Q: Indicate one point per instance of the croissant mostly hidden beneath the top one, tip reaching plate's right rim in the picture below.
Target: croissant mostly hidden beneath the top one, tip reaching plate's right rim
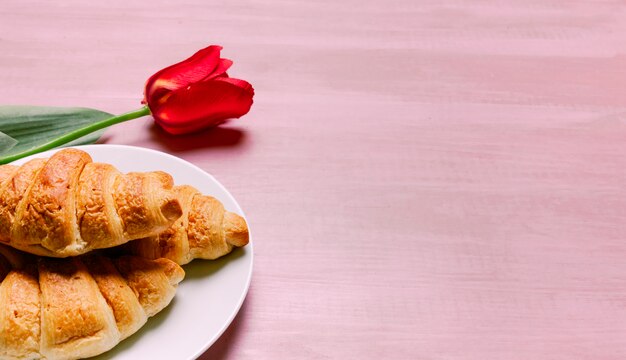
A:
(205, 231)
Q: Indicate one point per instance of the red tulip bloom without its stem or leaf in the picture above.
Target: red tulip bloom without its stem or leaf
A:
(197, 93)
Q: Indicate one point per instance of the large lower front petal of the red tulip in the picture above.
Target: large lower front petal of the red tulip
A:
(203, 105)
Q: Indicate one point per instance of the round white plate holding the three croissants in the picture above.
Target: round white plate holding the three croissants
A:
(212, 292)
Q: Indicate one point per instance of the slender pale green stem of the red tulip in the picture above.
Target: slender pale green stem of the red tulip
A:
(78, 133)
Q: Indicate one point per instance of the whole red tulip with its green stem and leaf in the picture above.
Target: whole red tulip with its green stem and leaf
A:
(186, 97)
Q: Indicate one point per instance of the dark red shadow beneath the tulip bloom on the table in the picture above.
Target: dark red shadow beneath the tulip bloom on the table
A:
(210, 138)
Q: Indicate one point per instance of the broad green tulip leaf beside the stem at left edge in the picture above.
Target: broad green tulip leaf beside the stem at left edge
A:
(25, 128)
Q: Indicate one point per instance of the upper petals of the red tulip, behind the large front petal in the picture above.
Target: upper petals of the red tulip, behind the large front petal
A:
(204, 64)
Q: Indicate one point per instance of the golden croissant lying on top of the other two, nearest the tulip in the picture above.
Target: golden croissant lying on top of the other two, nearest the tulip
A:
(68, 205)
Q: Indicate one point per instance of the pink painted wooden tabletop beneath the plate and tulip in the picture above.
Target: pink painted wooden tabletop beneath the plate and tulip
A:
(424, 179)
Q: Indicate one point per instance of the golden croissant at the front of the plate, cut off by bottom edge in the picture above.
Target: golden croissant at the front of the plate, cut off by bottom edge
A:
(77, 307)
